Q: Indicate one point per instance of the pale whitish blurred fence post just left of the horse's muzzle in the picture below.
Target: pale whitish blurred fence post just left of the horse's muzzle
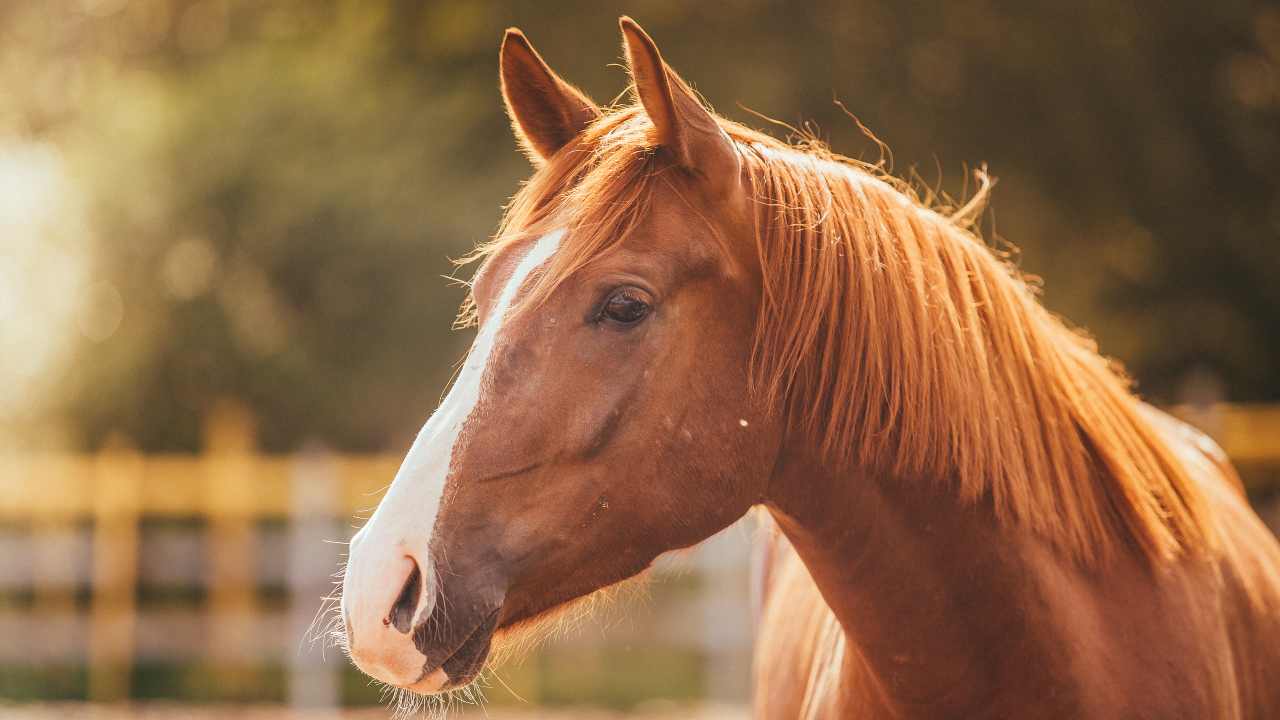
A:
(314, 554)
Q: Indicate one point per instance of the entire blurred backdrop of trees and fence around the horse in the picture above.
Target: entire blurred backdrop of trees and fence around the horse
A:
(226, 230)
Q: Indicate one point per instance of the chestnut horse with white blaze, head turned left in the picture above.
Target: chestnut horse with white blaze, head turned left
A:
(683, 321)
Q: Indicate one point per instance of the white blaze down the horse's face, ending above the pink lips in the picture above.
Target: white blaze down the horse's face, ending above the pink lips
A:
(405, 520)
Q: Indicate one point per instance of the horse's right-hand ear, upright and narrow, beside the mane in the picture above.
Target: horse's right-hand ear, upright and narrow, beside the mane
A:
(683, 124)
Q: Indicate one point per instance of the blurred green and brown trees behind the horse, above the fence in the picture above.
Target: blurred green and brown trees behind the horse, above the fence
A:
(273, 190)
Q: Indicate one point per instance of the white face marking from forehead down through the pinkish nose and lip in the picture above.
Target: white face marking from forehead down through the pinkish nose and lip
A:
(397, 536)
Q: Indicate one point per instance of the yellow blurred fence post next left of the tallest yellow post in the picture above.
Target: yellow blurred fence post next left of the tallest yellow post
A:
(113, 612)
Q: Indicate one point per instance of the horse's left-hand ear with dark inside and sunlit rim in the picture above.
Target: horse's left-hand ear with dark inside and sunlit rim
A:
(546, 112)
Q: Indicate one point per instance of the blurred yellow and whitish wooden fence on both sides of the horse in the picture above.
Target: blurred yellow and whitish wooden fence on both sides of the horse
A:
(232, 489)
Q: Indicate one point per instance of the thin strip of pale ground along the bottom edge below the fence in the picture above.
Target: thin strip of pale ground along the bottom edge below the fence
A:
(166, 712)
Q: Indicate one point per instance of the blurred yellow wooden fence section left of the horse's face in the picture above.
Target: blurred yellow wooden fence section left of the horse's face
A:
(230, 487)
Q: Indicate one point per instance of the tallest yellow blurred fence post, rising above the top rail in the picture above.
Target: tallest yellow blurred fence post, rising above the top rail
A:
(230, 475)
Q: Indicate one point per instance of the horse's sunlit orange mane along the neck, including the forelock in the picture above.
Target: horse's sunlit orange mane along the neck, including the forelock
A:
(894, 339)
